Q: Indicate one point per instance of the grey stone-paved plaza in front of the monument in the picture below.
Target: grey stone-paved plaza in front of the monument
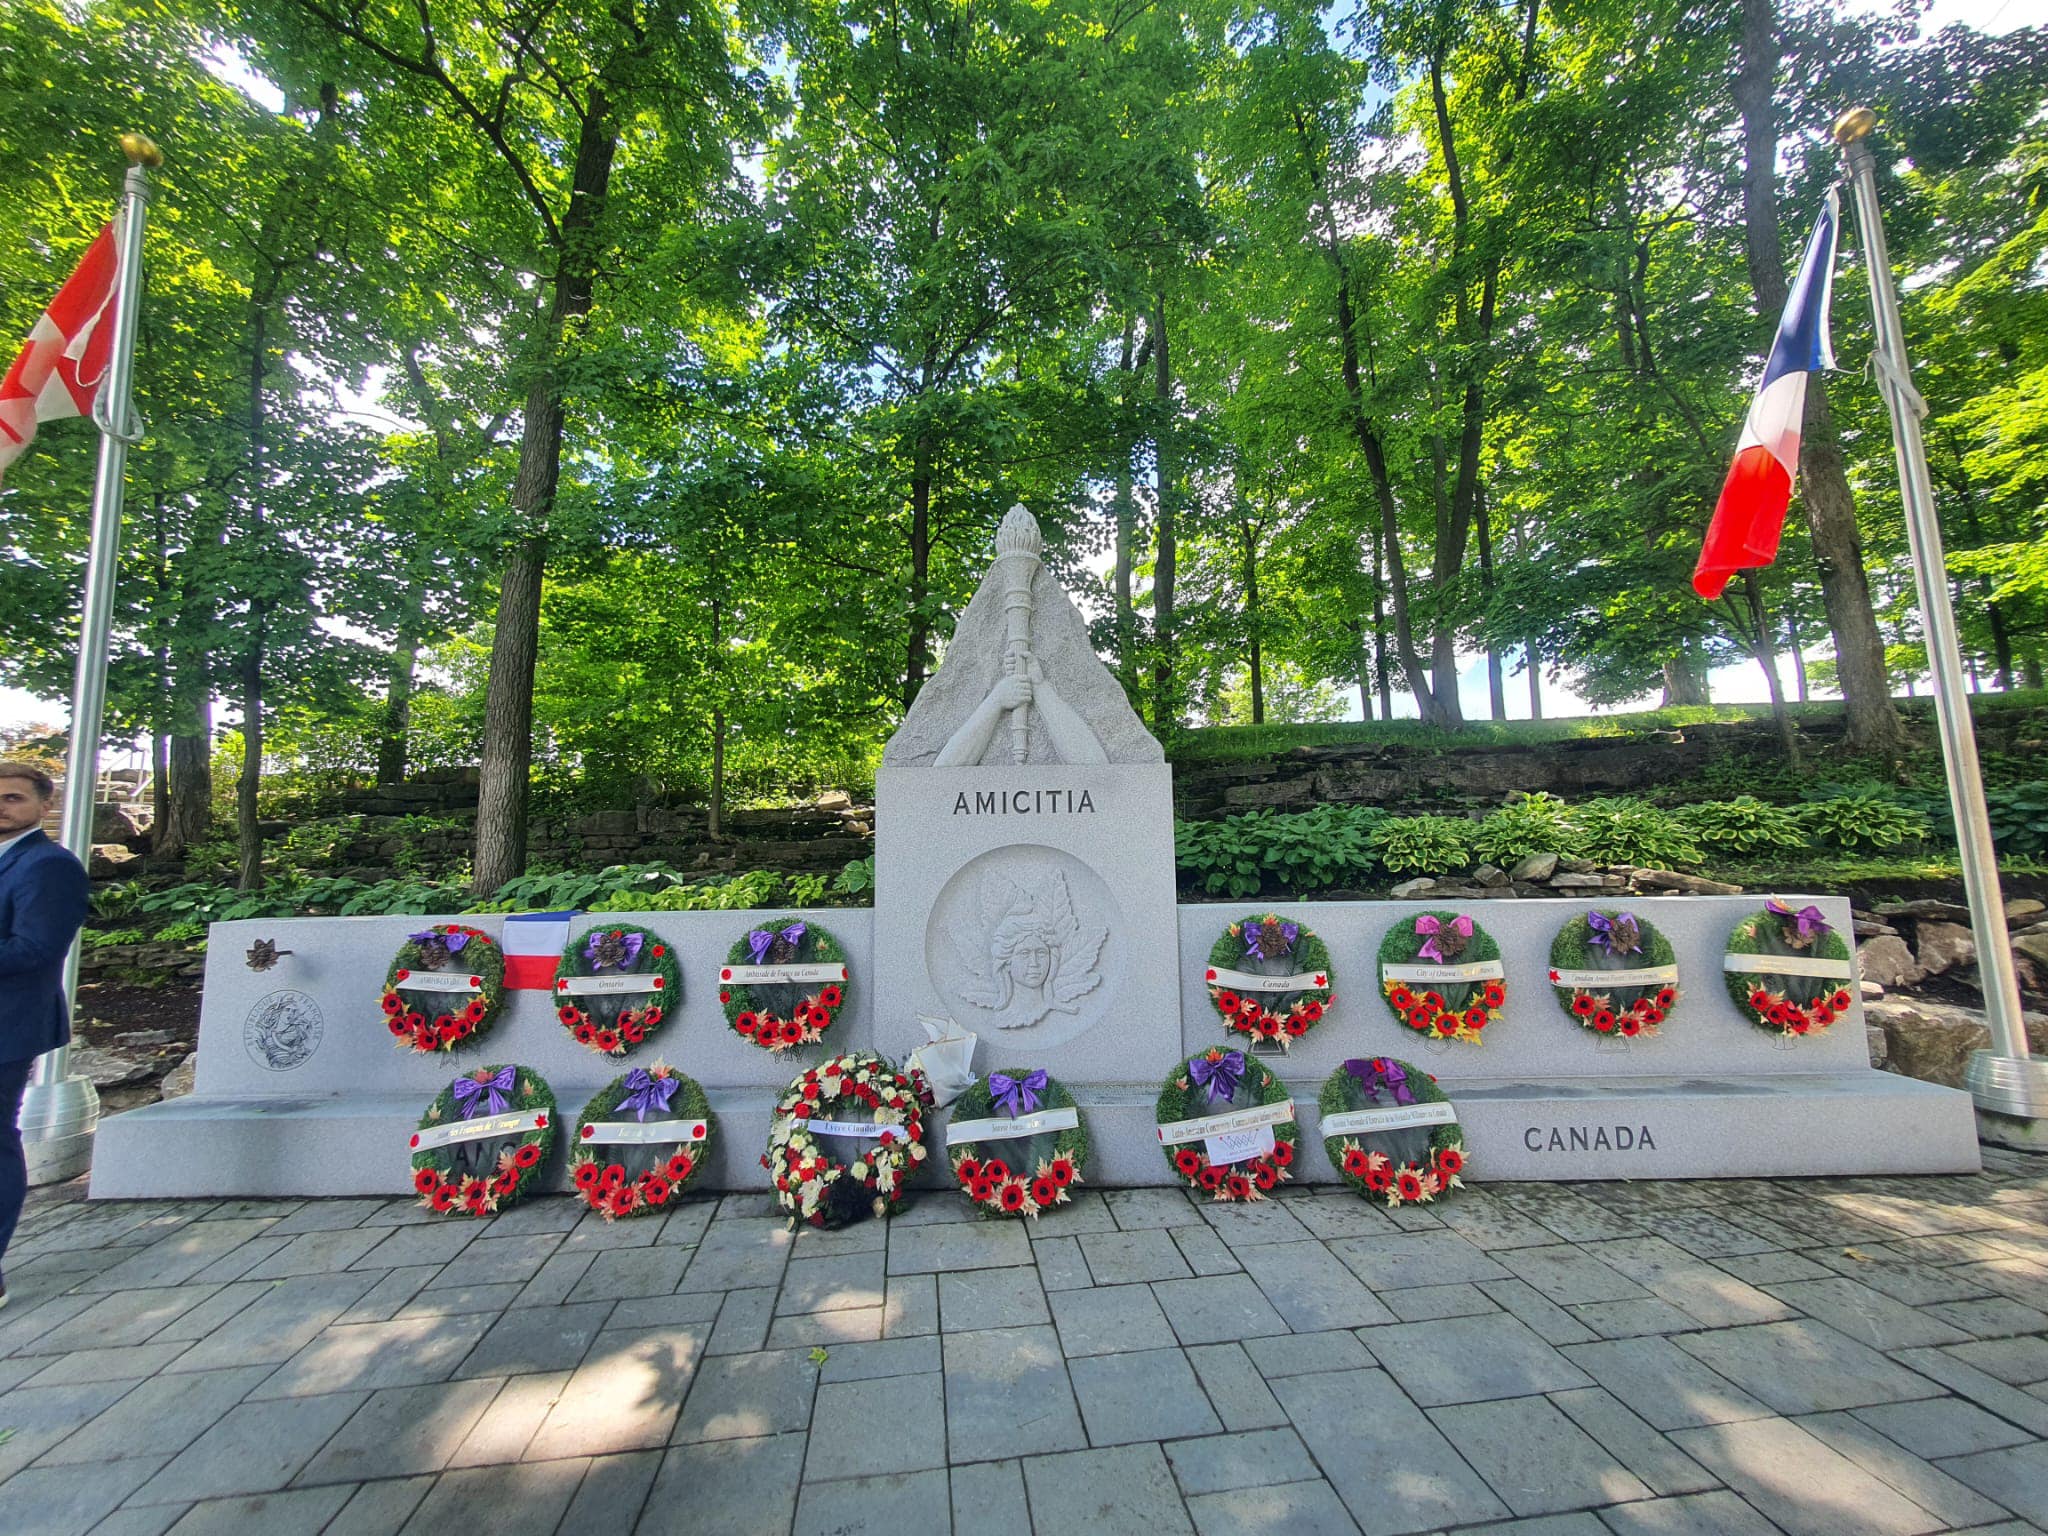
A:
(1816, 1357)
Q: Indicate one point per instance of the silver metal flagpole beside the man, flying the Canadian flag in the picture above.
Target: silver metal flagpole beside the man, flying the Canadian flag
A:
(62, 1111)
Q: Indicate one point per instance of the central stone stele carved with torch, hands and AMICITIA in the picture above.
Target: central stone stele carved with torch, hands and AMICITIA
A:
(1025, 845)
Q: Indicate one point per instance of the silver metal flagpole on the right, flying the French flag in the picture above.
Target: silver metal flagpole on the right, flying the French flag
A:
(2006, 1080)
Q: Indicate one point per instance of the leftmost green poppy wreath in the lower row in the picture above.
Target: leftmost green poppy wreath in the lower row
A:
(482, 1177)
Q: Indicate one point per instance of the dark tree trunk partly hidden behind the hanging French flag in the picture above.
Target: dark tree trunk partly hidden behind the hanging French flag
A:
(1838, 552)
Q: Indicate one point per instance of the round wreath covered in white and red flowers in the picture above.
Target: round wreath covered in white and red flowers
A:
(816, 1187)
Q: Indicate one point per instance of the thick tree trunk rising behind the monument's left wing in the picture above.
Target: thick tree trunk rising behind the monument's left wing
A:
(507, 767)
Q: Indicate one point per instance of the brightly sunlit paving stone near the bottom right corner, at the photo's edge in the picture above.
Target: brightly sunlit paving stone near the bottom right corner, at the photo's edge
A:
(1799, 1484)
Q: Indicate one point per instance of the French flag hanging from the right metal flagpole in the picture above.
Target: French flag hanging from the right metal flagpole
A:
(1752, 509)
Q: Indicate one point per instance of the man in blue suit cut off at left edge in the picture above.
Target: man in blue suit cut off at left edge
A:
(44, 900)
